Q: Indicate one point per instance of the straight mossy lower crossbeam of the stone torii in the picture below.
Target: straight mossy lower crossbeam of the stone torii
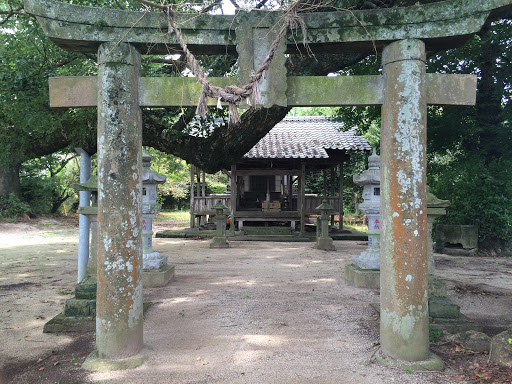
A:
(301, 90)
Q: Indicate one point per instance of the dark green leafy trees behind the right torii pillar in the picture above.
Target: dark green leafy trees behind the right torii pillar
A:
(469, 148)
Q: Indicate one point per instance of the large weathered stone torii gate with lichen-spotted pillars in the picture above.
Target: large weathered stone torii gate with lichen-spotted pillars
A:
(404, 90)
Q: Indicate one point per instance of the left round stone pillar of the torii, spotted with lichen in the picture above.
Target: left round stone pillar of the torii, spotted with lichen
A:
(119, 292)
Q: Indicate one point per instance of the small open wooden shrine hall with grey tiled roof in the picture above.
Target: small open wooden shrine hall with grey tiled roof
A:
(268, 183)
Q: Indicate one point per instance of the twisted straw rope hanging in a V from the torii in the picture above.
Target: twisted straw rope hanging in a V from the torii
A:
(232, 94)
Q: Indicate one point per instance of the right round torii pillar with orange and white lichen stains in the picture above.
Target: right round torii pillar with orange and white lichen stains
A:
(404, 236)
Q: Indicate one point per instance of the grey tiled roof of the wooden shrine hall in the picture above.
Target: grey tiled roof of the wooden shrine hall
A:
(305, 138)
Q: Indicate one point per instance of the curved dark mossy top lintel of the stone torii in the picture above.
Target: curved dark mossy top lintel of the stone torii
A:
(363, 30)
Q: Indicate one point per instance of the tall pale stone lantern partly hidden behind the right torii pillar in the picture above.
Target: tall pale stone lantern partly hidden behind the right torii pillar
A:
(370, 180)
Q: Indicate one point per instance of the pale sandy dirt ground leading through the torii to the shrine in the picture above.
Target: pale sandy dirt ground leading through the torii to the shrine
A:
(255, 313)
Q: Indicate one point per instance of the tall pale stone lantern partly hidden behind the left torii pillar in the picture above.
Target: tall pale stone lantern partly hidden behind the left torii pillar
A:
(156, 271)
